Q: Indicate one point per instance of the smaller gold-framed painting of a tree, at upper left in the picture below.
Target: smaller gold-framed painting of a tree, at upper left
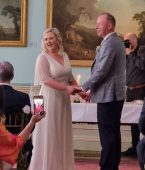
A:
(13, 22)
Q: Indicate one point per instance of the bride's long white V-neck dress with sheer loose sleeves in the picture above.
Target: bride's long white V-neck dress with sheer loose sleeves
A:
(52, 136)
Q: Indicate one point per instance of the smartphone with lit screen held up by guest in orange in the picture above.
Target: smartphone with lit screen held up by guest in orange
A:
(38, 104)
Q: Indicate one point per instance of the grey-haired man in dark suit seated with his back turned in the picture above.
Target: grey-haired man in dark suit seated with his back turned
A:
(14, 102)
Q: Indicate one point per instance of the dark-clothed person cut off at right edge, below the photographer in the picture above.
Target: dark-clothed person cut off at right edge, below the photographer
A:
(141, 143)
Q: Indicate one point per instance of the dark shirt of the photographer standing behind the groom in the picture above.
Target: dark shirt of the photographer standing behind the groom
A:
(135, 67)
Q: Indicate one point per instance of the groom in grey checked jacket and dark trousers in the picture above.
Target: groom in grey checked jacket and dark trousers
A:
(107, 85)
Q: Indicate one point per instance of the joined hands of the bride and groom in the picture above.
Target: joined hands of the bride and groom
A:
(73, 89)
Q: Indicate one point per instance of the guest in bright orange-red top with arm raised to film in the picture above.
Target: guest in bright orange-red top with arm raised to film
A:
(10, 145)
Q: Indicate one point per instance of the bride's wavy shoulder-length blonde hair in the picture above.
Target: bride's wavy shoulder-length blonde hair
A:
(56, 32)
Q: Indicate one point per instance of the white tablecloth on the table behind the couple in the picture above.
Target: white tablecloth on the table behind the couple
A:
(87, 112)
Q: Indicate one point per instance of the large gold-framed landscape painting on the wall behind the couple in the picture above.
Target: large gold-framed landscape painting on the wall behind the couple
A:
(76, 21)
